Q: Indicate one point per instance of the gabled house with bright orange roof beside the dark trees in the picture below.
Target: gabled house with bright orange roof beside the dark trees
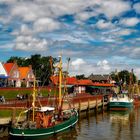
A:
(26, 76)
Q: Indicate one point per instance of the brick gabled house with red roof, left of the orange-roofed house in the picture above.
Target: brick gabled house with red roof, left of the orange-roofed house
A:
(13, 74)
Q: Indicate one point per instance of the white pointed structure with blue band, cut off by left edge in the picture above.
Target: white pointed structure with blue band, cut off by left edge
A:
(3, 76)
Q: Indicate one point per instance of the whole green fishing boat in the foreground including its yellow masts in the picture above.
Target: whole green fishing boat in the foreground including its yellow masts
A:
(44, 120)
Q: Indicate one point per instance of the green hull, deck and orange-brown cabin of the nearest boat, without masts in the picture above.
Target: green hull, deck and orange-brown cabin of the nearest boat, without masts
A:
(45, 124)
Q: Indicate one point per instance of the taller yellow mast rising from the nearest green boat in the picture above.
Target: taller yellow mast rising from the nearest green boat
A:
(60, 81)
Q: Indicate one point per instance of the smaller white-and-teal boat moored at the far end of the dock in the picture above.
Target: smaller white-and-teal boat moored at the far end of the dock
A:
(120, 102)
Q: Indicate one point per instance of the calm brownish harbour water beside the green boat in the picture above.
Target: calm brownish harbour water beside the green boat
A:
(106, 126)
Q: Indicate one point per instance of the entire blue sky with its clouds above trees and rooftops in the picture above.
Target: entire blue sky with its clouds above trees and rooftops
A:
(98, 35)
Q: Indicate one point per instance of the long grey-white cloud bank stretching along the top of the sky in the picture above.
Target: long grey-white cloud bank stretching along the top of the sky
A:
(32, 10)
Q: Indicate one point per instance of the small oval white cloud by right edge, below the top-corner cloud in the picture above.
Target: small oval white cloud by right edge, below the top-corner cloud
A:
(129, 21)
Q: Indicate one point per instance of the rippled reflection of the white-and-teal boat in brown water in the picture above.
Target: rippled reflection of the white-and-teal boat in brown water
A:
(122, 123)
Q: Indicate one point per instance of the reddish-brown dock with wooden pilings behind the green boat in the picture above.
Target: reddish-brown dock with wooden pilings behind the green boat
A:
(83, 102)
